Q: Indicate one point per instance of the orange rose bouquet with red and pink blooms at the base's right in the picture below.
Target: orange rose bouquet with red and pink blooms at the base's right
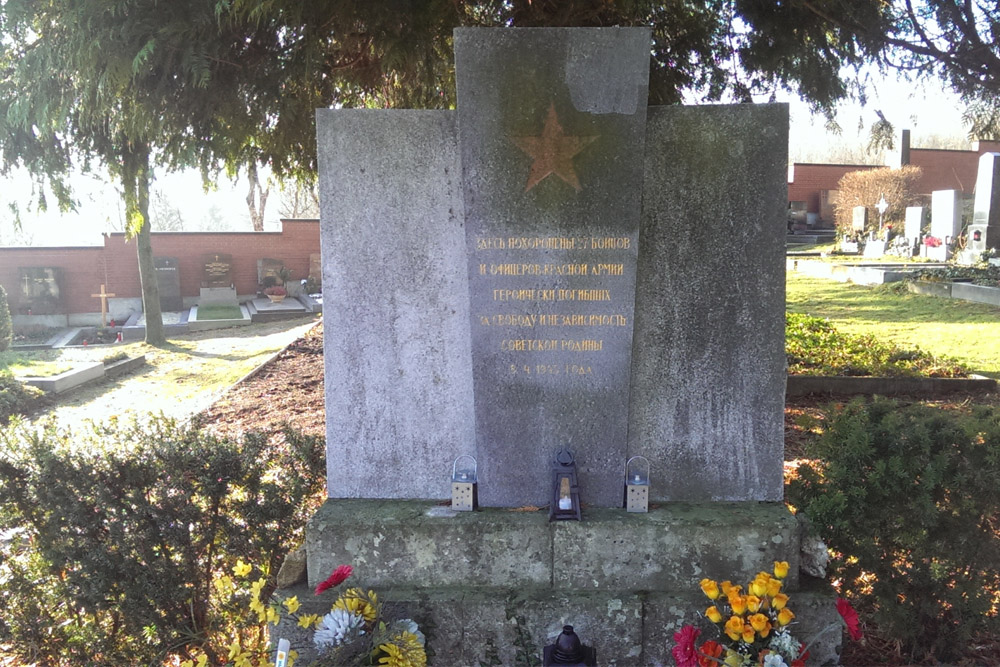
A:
(753, 625)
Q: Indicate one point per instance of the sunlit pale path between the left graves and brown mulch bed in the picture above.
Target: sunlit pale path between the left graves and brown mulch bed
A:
(184, 377)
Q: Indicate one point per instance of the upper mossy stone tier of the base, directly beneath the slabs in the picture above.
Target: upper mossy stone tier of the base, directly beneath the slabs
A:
(396, 543)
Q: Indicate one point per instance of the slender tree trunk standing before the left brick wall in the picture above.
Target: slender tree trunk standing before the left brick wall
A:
(135, 177)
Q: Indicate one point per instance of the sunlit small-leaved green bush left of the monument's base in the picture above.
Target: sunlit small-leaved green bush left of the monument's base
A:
(121, 529)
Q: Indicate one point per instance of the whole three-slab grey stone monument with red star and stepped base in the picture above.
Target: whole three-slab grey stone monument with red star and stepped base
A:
(551, 267)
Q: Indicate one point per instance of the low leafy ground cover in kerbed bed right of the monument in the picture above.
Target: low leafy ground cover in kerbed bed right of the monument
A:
(815, 347)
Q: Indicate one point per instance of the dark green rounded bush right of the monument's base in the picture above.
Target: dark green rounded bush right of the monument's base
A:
(906, 497)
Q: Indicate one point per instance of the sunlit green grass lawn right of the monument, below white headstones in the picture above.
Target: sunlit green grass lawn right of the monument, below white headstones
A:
(966, 331)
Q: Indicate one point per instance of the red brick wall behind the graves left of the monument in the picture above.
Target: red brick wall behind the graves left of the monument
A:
(116, 266)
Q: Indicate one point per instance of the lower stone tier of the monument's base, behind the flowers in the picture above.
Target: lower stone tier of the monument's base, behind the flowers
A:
(628, 628)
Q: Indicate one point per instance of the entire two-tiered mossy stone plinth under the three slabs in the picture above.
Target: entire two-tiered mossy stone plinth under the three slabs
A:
(508, 580)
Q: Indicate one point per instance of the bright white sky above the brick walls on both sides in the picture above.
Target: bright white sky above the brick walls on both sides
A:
(925, 109)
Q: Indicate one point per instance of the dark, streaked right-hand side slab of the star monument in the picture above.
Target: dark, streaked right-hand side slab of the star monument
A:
(708, 365)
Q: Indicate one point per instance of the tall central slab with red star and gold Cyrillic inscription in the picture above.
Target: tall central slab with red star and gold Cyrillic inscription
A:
(551, 134)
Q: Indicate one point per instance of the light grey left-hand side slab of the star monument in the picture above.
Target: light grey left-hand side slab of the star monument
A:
(396, 314)
